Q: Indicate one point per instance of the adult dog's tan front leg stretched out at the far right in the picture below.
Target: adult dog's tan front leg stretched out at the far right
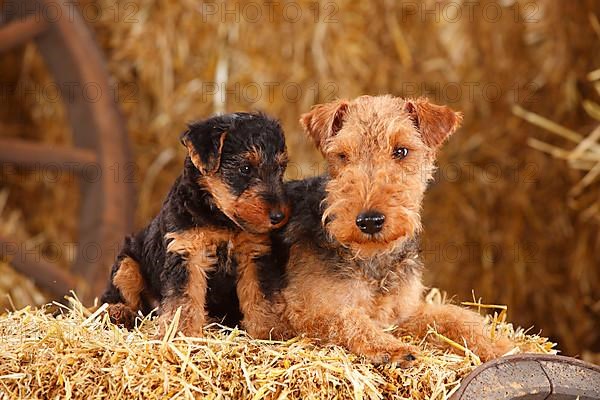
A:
(460, 325)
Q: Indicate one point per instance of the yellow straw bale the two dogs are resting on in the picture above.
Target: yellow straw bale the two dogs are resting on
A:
(80, 354)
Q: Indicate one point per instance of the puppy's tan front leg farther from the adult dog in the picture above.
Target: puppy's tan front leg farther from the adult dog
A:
(185, 285)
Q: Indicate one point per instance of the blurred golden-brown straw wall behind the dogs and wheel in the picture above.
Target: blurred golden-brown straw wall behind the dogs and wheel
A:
(517, 238)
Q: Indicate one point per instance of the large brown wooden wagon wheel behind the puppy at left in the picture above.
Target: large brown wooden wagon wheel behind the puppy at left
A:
(99, 136)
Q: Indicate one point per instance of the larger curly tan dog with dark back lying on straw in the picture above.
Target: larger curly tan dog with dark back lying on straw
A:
(348, 260)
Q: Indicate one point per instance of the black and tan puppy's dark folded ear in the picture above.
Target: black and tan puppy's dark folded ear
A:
(204, 142)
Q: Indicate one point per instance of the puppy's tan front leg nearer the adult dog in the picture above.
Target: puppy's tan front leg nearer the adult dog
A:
(263, 312)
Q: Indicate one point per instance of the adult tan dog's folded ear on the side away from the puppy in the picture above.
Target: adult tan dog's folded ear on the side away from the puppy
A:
(435, 123)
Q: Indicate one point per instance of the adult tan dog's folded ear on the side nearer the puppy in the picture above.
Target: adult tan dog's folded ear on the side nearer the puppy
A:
(324, 121)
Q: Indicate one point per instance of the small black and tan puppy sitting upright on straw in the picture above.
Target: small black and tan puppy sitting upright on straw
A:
(216, 216)
